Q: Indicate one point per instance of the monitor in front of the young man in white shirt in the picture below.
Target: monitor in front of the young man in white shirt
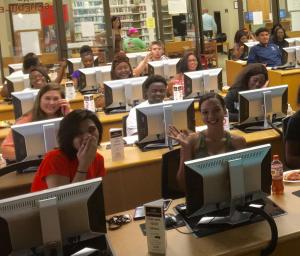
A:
(153, 120)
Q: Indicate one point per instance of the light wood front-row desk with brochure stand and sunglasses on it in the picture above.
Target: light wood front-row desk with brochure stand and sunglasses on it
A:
(246, 240)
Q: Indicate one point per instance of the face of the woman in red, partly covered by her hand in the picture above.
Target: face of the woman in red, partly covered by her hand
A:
(87, 128)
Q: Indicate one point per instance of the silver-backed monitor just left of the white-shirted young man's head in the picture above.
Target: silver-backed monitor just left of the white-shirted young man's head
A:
(123, 94)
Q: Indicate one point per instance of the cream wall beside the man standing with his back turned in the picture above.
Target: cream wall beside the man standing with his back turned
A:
(229, 20)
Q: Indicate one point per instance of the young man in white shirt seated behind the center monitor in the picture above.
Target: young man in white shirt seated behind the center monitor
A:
(155, 90)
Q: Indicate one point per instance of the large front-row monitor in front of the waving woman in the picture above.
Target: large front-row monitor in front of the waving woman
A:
(225, 180)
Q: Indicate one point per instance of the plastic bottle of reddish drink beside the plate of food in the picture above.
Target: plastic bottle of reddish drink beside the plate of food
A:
(277, 176)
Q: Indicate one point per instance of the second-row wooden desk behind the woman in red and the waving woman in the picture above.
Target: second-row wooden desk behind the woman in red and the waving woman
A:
(136, 179)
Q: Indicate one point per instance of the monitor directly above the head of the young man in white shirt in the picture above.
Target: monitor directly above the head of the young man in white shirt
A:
(165, 68)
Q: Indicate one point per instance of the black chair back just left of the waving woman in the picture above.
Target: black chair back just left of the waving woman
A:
(170, 164)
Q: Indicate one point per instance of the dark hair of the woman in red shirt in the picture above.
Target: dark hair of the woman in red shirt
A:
(69, 128)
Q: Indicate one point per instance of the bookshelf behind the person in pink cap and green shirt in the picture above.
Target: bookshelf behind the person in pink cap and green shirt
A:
(134, 13)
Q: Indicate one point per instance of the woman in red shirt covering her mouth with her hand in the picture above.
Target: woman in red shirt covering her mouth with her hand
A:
(76, 159)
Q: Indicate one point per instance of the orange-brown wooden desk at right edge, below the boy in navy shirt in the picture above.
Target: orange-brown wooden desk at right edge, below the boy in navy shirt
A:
(289, 77)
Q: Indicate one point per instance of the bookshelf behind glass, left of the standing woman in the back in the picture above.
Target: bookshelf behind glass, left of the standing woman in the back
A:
(87, 11)
